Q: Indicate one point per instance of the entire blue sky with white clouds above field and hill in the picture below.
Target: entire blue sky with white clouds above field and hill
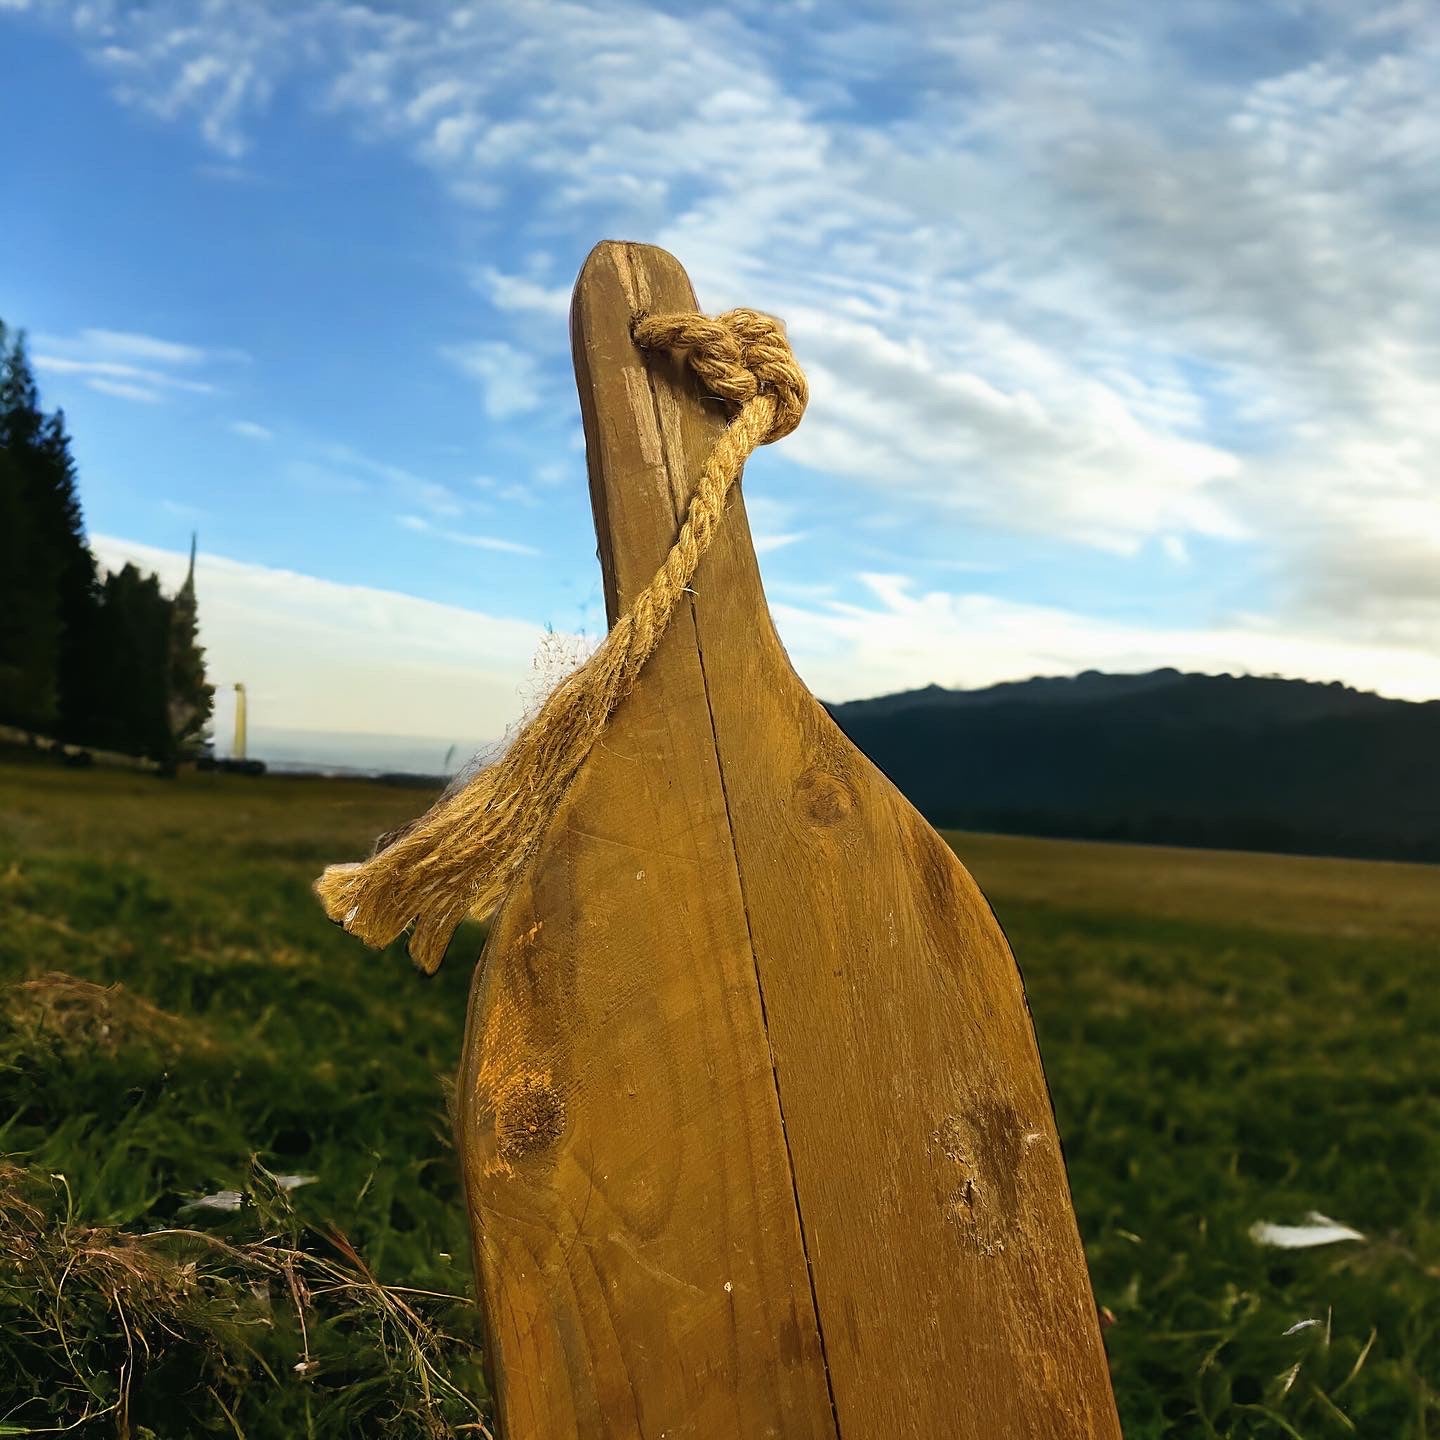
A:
(1121, 323)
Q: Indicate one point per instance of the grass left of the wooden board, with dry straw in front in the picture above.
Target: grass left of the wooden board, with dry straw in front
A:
(250, 1039)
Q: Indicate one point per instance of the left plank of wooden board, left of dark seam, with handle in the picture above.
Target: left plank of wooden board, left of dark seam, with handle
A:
(634, 1218)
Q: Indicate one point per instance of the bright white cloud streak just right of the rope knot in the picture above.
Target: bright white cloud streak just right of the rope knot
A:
(1036, 446)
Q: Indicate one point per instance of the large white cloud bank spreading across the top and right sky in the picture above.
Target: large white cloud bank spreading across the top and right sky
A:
(1104, 279)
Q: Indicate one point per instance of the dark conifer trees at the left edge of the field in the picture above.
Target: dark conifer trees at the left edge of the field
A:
(106, 662)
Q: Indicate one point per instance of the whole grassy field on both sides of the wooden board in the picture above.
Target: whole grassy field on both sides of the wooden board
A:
(1229, 1039)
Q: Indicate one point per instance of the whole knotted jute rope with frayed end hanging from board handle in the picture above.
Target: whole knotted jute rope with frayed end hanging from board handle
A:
(460, 856)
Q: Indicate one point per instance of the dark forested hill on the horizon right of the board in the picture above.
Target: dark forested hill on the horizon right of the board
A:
(1167, 758)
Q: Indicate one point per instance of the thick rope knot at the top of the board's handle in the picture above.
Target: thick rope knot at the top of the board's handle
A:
(741, 356)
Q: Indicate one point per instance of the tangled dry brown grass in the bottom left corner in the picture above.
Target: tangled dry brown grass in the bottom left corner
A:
(91, 1307)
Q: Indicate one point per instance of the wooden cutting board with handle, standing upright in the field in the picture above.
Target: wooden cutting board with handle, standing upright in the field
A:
(755, 1133)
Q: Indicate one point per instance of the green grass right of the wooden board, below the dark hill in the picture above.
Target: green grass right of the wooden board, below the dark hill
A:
(1233, 1039)
